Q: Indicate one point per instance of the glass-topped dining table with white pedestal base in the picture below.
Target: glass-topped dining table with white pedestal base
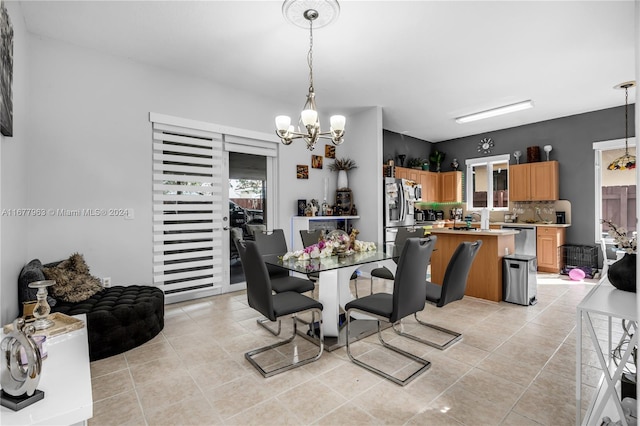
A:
(333, 287)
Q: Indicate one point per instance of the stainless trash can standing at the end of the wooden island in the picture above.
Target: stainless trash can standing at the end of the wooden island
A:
(519, 283)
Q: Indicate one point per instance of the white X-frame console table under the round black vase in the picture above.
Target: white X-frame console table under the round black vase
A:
(604, 300)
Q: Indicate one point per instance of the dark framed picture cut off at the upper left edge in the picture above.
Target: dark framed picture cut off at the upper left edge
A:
(6, 72)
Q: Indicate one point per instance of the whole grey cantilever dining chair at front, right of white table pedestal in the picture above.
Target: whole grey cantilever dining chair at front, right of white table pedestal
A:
(408, 297)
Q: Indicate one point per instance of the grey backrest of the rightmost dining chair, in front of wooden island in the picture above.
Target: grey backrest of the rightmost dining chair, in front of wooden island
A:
(457, 272)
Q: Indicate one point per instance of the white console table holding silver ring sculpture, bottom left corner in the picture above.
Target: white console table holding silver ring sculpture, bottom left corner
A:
(66, 382)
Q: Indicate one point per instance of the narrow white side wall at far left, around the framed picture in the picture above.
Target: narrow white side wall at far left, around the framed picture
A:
(14, 171)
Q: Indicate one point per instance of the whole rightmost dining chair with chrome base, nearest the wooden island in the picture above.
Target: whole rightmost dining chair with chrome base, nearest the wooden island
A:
(452, 289)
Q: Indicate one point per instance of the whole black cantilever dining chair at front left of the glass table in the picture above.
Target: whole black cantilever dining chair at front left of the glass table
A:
(275, 306)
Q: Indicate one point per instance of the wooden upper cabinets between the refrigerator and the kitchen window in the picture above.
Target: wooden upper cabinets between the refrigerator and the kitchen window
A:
(443, 187)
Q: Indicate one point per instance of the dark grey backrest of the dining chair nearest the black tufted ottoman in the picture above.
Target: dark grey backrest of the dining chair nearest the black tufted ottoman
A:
(259, 294)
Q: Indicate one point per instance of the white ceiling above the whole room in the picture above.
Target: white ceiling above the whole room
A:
(423, 62)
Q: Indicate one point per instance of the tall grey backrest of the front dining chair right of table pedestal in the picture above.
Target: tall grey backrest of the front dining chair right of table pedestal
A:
(409, 287)
